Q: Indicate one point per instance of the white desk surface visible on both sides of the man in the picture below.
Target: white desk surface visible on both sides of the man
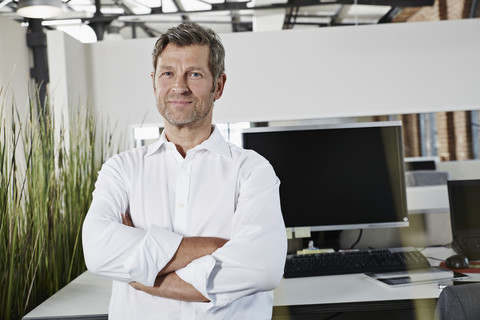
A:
(88, 295)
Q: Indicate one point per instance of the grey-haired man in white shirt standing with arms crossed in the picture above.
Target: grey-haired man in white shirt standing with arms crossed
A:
(189, 227)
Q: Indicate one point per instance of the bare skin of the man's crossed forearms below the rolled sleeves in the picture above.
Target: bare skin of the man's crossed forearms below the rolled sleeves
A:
(168, 284)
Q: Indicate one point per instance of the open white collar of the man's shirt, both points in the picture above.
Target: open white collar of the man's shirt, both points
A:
(215, 143)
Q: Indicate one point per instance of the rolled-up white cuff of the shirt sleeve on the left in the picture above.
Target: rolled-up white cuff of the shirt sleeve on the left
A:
(154, 252)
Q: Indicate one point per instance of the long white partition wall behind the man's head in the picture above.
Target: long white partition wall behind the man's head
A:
(311, 73)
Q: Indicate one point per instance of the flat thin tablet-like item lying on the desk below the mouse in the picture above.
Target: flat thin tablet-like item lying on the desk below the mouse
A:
(411, 277)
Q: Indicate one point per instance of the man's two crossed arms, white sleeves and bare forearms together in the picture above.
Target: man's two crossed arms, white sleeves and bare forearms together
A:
(164, 263)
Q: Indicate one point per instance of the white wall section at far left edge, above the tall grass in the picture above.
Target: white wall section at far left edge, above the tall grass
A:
(14, 62)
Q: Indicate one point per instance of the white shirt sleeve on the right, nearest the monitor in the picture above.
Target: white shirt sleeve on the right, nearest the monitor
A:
(253, 259)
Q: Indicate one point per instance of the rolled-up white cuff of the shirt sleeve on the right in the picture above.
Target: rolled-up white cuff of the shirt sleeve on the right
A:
(197, 273)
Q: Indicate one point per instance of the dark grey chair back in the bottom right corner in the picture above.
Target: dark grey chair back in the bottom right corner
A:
(461, 302)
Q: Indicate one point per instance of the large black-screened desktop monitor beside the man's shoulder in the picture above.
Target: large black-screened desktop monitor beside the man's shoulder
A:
(337, 177)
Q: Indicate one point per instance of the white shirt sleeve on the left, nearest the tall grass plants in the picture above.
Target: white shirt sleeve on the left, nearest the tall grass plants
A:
(114, 250)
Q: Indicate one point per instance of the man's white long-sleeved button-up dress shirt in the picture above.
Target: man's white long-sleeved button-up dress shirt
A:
(217, 190)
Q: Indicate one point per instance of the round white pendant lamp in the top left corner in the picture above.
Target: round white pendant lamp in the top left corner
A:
(39, 9)
